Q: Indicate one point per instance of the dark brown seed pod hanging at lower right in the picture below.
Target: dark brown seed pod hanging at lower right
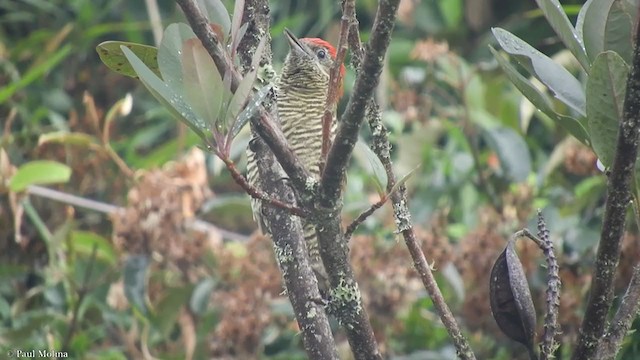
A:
(510, 299)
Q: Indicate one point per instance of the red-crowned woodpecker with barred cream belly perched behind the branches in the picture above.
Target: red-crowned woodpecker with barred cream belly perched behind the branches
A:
(301, 93)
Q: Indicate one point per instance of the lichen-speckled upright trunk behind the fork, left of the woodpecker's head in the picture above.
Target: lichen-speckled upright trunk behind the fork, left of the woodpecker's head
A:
(286, 230)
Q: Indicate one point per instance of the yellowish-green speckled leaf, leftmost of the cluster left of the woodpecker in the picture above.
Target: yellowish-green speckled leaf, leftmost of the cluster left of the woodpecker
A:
(112, 56)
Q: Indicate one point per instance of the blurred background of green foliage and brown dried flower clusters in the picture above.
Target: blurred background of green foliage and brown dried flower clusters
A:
(142, 285)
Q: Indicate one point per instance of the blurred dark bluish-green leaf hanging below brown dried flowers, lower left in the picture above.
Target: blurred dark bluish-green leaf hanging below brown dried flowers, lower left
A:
(135, 281)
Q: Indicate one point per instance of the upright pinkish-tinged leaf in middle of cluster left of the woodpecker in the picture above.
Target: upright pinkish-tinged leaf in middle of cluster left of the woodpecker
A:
(202, 82)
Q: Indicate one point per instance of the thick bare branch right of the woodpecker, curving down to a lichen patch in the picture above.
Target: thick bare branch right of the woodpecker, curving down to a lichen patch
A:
(346, 301)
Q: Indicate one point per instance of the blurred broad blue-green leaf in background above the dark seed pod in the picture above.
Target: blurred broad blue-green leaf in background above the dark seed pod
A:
(512, 151)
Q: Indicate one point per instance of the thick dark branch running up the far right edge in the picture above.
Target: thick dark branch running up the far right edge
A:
(619, 196)
